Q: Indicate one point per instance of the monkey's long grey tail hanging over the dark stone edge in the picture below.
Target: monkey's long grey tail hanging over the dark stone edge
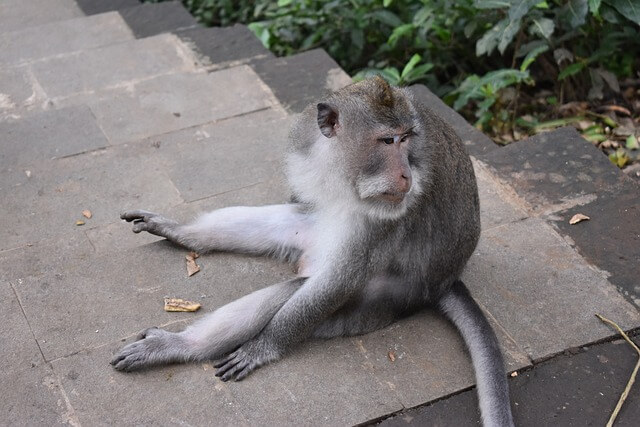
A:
(493, 391)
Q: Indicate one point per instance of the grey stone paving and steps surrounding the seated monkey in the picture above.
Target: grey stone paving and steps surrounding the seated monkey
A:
(136, 106)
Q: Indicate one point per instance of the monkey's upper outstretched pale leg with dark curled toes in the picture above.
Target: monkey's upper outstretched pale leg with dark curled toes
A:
(278, 230)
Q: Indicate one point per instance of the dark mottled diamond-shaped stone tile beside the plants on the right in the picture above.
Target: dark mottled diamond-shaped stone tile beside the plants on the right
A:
(555, 170)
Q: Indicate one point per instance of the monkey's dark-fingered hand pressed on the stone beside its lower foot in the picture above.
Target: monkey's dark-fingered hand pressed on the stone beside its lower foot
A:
(249, 357)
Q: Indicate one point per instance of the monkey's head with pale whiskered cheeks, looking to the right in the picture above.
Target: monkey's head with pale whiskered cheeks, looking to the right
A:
(363, 150)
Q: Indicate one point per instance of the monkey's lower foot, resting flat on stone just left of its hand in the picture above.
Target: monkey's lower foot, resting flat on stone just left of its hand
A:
(154, 346)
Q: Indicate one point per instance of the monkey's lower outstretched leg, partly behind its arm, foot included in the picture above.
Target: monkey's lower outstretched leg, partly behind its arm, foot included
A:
(212, 336)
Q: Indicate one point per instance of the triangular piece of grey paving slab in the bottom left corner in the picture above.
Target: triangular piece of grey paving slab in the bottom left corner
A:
(31, 395)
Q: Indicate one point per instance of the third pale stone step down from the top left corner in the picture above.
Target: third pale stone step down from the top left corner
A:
(81, 77)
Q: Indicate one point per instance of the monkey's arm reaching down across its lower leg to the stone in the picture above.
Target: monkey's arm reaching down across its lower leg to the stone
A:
(317, 299)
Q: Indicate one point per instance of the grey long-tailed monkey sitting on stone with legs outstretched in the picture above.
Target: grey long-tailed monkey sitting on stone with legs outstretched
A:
(383, 218)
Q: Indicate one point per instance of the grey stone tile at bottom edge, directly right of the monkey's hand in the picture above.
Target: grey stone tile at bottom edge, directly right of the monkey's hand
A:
(321, 383)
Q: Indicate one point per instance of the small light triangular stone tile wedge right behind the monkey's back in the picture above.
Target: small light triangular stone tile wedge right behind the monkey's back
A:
(497, 203)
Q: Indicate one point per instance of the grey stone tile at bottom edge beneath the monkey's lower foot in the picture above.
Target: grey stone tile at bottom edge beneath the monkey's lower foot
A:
(186, 394)
